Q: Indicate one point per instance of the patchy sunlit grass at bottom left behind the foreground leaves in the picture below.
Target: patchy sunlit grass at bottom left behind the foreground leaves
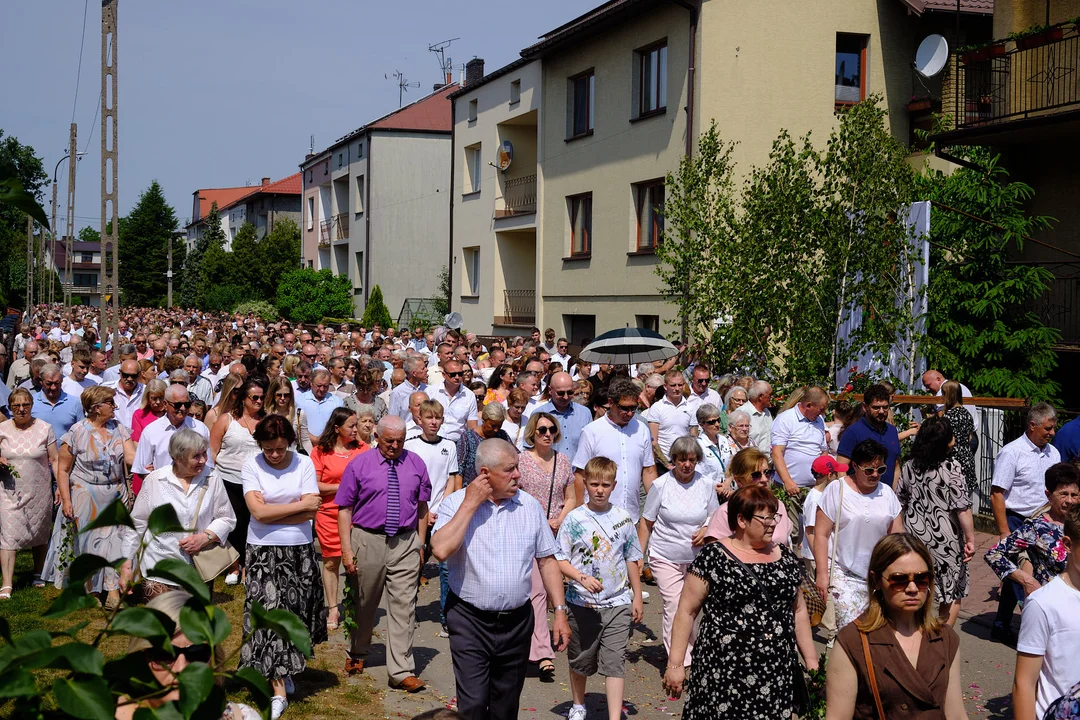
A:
(322, 694)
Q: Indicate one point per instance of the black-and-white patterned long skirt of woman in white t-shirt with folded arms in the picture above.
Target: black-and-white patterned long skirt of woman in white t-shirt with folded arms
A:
(286, 578)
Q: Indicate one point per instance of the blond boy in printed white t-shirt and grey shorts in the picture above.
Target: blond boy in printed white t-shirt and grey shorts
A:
(599, 552)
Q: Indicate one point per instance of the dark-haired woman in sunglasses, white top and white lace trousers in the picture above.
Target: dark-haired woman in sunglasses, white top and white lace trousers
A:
(860, 510)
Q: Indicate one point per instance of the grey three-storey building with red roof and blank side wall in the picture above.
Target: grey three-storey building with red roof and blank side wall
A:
(376, 203)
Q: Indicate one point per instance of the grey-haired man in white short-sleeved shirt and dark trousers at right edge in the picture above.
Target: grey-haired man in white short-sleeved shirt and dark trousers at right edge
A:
(1019, 491)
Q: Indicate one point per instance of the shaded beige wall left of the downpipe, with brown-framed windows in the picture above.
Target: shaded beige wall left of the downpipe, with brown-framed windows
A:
(615, 284)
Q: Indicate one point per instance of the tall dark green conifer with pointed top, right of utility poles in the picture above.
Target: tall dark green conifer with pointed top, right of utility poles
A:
(144, 250)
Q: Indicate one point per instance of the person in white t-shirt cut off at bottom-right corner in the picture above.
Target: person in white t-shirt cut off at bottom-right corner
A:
(1048, 664)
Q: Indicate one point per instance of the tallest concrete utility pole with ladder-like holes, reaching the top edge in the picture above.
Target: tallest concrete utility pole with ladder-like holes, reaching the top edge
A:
(111, 226)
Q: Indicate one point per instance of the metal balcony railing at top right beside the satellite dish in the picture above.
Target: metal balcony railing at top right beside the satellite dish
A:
(1030, 77)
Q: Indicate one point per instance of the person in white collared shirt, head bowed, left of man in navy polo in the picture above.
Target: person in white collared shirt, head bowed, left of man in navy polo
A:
(799, 439)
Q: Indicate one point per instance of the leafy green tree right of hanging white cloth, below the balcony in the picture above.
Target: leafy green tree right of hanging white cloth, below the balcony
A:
(982, 330)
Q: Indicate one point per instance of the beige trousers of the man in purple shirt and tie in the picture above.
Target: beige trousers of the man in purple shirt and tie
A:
(391, 565)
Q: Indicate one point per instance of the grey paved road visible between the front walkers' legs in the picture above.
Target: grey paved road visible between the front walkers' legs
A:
(987, 673)
